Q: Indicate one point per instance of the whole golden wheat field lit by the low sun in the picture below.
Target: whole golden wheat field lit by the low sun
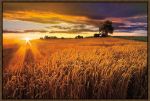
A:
(90, 68)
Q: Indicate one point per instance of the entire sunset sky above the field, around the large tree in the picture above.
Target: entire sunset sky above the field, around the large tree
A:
(71, 19)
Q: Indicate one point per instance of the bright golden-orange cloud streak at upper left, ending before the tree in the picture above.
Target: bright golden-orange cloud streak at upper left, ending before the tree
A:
(43, 17)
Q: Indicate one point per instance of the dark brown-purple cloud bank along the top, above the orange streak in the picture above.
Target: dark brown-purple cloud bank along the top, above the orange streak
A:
(91, 10)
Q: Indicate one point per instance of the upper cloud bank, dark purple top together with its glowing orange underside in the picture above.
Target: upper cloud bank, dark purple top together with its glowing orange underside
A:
(75, 13)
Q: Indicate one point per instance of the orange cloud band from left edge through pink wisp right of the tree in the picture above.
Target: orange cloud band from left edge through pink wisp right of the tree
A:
(53, 18)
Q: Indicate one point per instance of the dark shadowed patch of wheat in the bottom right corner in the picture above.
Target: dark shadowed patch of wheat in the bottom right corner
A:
(138, 85)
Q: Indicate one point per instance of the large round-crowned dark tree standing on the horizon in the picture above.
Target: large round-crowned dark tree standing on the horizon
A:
(106, 28)
